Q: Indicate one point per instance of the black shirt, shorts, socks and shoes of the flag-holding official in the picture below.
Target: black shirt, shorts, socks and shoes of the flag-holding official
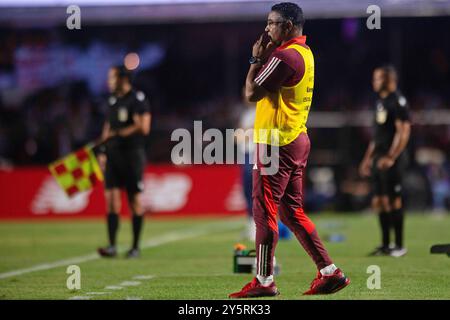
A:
(125, 163)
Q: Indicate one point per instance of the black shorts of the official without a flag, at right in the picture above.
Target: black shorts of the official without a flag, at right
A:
(389, 182)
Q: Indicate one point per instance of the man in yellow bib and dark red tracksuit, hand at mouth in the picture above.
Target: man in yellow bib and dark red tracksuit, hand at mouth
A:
(281, 81)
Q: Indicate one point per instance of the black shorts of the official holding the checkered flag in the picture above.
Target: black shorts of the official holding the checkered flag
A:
(125, 169)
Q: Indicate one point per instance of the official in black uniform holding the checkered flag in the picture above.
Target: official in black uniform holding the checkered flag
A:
(126, 126)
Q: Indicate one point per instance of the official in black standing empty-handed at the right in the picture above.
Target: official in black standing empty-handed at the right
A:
(385, 159)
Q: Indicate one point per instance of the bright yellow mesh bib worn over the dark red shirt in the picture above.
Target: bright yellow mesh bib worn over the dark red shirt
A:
(281, 116)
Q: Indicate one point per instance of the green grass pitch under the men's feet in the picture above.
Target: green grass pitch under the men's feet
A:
(192, 259)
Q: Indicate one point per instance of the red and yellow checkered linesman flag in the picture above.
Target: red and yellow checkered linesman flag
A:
(79, 171)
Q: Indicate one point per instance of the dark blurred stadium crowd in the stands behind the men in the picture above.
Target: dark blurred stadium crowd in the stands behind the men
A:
(53, 93)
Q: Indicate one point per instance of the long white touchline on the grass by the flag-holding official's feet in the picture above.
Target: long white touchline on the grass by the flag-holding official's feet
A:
(151, 243)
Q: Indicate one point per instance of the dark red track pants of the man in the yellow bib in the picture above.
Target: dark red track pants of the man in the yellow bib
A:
(282, 193)
